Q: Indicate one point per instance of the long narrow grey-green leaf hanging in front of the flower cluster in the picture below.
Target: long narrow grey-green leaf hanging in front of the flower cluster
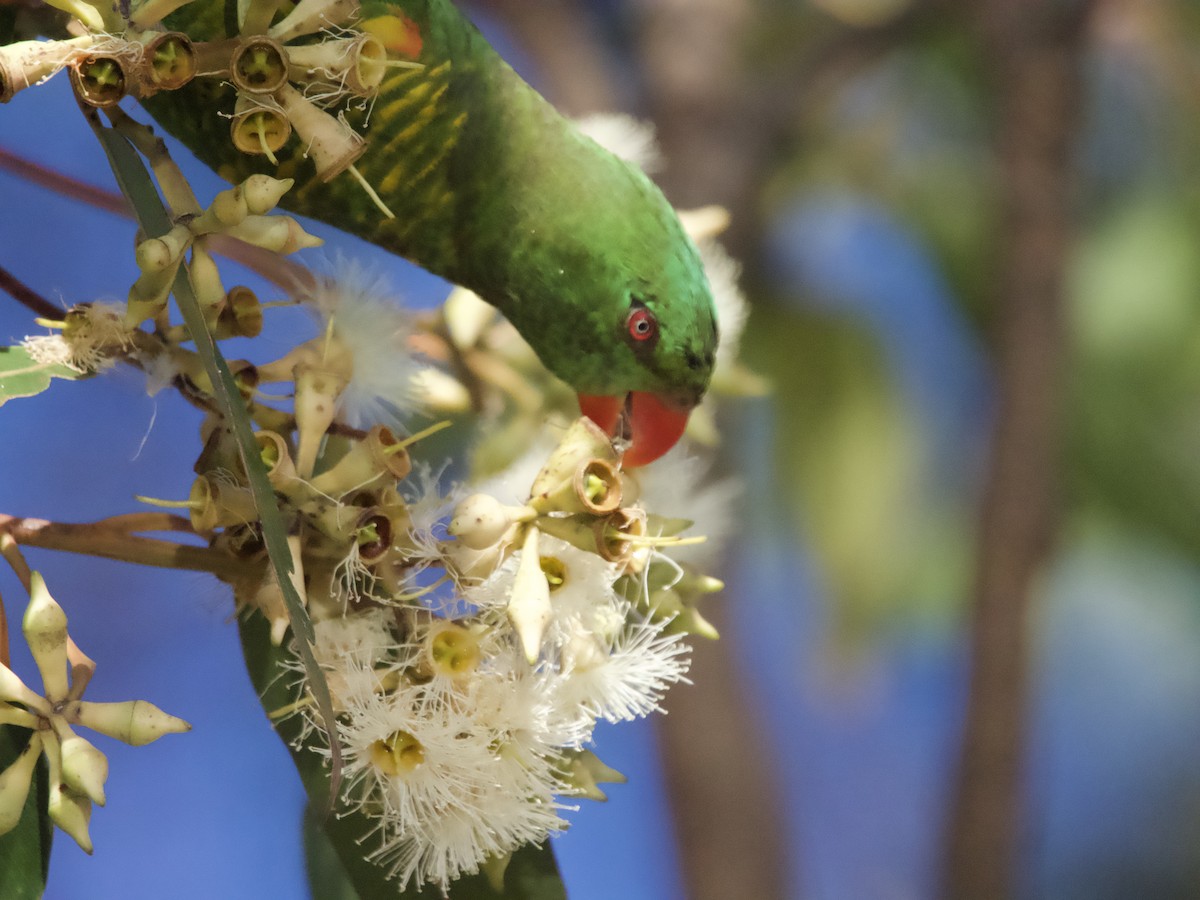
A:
(139, 189)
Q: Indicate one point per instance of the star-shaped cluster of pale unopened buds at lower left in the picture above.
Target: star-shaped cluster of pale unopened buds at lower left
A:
(77, 769)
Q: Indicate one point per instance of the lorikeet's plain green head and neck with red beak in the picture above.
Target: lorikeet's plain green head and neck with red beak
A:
(597, 273)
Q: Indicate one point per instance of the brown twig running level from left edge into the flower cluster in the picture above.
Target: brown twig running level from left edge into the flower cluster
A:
(100, 539)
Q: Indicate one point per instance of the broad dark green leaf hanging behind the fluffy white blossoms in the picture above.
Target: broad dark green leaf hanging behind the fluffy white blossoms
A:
(335, 848)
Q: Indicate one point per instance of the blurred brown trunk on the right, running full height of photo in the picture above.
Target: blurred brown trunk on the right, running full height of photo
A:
(1034, 51)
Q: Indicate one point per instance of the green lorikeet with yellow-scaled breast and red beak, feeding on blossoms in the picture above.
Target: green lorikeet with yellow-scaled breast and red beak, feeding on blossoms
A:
(494, 190)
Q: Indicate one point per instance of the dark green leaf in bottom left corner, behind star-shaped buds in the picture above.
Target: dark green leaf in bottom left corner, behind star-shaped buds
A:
(26, 850)
